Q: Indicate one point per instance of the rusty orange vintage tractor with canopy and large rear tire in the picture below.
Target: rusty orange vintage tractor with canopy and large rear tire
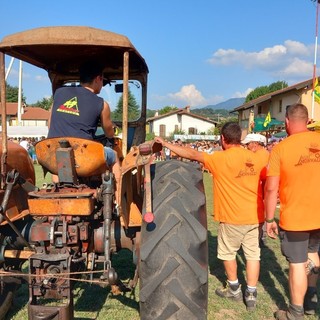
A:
(71, 229)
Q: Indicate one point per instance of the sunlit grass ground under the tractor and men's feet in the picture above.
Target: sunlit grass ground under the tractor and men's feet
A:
(93, 302)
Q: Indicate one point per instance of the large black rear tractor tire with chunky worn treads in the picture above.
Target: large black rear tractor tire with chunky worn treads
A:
(174, 247)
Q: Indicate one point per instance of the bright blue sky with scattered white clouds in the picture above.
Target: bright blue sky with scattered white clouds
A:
(198, 52)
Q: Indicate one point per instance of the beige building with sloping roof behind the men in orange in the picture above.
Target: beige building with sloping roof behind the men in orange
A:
(275, 103)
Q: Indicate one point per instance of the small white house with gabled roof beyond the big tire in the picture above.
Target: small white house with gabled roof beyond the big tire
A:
(178, 121)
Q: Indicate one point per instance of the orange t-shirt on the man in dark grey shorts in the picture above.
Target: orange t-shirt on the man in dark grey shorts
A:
(296, 160)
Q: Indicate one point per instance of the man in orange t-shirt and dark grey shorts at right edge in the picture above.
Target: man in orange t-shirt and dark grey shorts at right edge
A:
(294, 170)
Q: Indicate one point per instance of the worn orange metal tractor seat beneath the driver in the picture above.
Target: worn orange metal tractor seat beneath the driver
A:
(88, 155)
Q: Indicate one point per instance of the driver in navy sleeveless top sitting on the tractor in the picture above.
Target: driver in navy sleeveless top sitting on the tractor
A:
(76, 111)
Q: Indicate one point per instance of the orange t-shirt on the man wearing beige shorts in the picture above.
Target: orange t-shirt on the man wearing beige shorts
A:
(237, 175)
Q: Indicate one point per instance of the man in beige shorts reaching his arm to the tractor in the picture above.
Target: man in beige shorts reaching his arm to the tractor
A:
(238, 206)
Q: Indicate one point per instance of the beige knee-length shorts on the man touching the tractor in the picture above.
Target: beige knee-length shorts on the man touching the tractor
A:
(231, 237)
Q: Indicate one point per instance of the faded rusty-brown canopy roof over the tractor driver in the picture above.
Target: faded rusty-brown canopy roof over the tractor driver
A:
(61, 50)
